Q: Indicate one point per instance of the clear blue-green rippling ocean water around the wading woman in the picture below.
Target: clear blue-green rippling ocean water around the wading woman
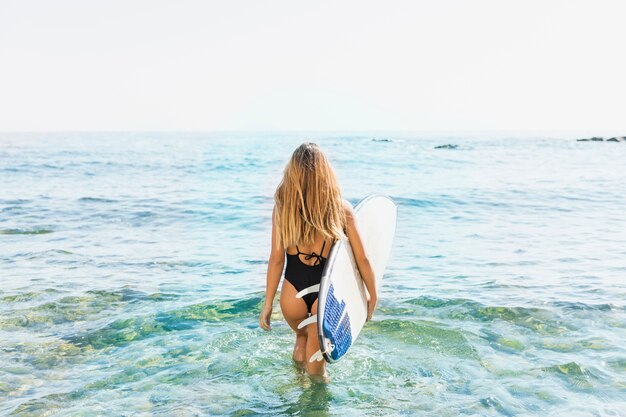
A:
(132, 272)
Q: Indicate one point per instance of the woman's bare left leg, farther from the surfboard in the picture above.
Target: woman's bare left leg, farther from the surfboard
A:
(294, 310)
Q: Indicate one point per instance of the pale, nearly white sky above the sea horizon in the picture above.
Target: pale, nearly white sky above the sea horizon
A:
(312, 65)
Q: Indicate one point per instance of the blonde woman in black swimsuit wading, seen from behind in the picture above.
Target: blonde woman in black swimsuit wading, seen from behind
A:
(309, 215)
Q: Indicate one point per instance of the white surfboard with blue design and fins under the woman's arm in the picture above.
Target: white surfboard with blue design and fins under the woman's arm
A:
(342, 297)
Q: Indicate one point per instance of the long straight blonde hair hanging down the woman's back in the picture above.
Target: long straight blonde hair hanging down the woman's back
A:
(308, 199)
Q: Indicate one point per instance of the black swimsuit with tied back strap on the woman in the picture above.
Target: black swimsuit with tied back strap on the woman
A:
(304, 276)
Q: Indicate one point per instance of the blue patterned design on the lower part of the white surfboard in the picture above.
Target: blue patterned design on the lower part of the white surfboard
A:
(336, 328)
